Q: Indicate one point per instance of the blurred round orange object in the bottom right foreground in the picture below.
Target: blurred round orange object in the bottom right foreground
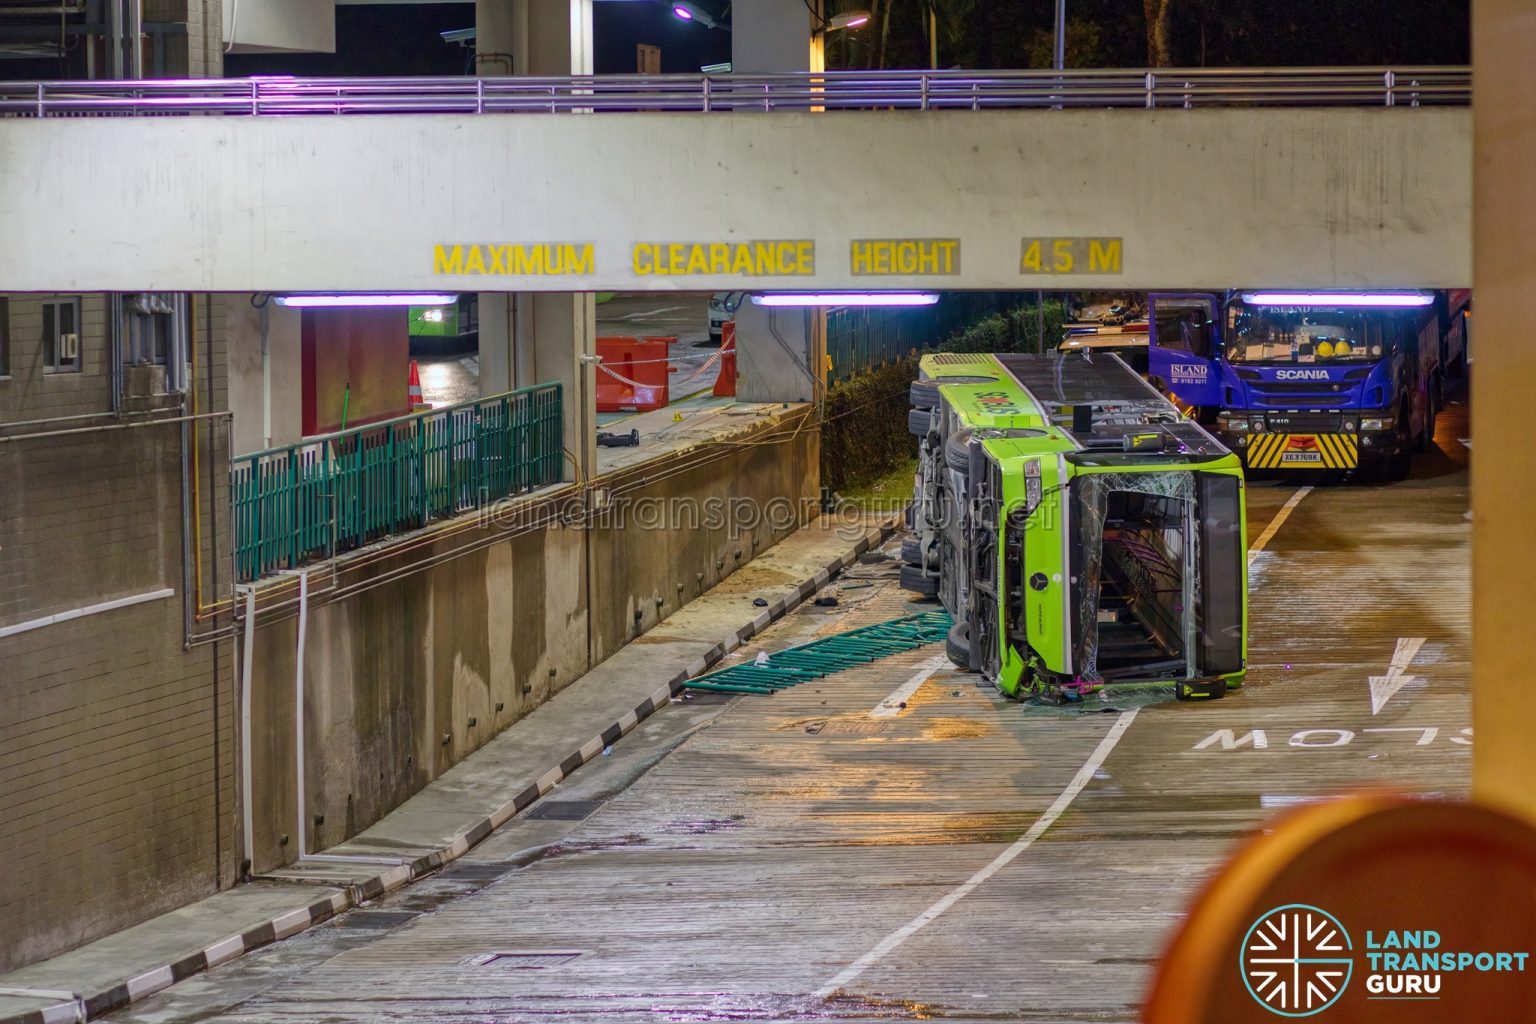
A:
(1349, 913)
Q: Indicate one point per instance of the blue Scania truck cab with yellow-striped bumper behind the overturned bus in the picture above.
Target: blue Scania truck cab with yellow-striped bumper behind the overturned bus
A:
(1305, 382)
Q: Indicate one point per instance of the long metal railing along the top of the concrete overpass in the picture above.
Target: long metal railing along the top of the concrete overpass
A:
(826, 91)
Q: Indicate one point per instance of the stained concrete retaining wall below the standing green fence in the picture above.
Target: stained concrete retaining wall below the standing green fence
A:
(409, 675)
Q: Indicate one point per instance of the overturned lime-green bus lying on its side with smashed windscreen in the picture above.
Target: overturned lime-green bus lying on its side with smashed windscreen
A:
(1079, 530)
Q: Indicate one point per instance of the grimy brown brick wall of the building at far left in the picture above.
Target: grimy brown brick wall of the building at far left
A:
(118, 745)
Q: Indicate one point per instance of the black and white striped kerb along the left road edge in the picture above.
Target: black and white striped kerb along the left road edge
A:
(294, 922)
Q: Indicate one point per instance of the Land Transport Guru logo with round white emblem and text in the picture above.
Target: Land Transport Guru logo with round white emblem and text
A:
(1297, 960)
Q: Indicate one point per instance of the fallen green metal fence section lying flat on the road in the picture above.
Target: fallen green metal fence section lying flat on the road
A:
(829, 655)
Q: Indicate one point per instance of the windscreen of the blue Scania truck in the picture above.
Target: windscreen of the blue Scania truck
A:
(1309, 335)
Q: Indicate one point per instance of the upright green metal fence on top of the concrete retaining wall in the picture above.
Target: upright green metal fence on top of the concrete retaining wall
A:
(343, 491)
